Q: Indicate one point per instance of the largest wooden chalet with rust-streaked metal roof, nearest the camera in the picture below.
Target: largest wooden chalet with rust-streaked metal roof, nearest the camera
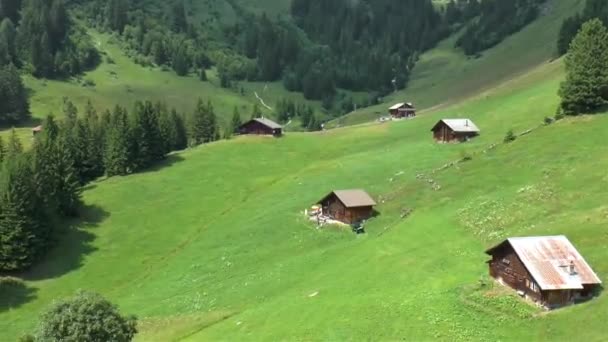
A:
(546, 269)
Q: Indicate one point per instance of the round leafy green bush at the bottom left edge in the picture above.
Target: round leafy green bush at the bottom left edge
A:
(85, 317)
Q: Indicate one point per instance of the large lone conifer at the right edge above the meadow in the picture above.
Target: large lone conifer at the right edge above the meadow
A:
(585, 89)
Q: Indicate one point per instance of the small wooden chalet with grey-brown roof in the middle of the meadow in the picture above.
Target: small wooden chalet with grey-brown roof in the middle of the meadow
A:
(348, 206)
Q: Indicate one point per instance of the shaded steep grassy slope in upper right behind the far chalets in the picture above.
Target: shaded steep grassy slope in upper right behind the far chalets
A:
(445, 75)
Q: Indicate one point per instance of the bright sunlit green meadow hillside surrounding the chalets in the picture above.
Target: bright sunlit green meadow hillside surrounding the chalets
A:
(213, 245)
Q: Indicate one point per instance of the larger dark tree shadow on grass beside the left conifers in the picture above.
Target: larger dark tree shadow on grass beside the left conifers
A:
(73, 243)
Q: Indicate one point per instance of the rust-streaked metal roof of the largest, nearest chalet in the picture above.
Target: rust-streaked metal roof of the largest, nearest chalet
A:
(553, 262)
